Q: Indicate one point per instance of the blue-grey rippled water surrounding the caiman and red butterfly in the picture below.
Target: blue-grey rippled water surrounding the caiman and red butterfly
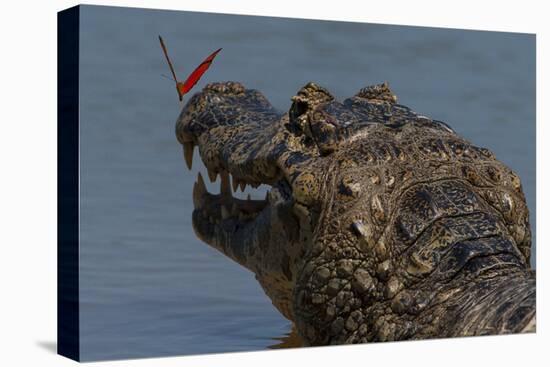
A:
(148, 286)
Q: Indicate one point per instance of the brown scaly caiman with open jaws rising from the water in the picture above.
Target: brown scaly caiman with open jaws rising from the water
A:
(381, 224)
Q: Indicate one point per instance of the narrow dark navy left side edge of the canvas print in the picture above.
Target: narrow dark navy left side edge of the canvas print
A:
(68, 183)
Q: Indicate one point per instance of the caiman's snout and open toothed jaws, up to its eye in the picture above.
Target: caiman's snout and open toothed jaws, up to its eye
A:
(242, 138)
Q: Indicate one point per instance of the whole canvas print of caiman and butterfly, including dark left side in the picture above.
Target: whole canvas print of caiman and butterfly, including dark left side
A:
(233, 183)
